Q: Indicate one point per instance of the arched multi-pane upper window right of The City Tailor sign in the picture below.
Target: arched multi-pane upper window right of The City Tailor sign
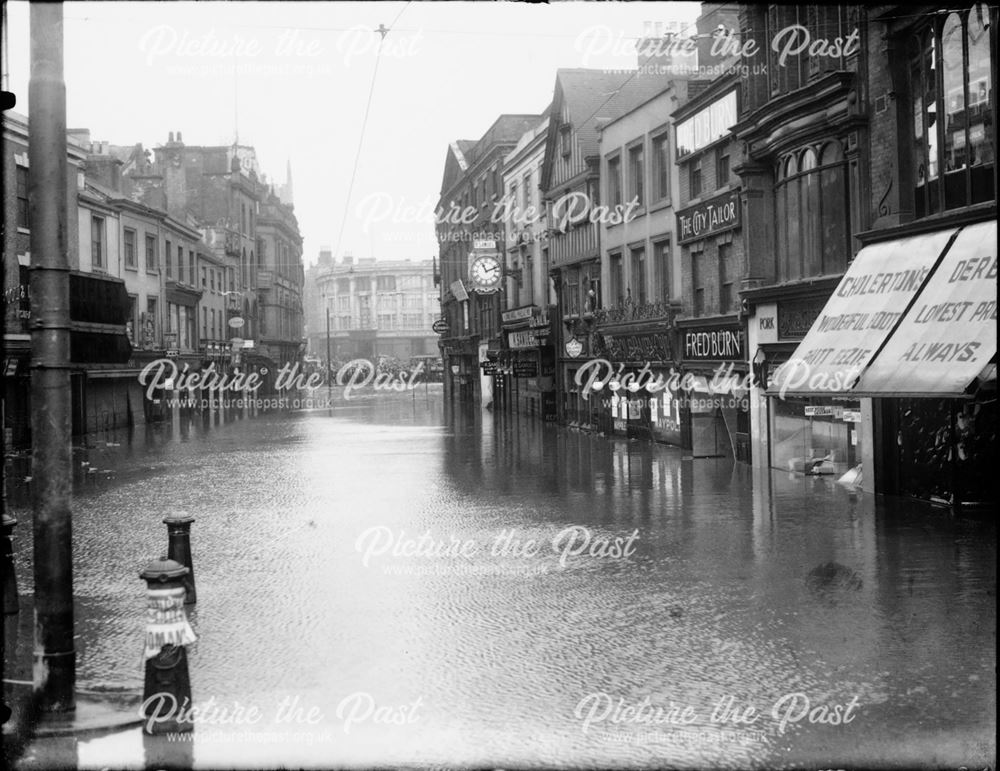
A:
(812, 213)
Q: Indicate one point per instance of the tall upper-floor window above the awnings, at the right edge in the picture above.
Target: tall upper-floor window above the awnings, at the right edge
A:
(951, 85)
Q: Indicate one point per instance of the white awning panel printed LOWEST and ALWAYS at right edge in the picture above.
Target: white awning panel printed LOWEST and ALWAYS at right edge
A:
(950, 334)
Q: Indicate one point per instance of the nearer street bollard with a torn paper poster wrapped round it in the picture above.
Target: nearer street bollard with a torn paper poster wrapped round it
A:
(166, 693)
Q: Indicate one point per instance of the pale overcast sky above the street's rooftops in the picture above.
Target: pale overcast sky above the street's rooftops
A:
(294, 79)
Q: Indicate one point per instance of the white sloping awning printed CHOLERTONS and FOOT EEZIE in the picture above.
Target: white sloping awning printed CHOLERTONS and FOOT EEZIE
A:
(879, 286)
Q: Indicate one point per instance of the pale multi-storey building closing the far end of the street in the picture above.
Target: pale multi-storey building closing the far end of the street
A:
(377, 308)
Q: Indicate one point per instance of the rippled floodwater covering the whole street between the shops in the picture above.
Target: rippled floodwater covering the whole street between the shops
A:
(394, 582)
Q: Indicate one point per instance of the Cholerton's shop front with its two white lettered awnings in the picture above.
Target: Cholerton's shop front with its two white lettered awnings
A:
(896, 377)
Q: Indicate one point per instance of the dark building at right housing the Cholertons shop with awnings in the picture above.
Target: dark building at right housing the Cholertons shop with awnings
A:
(876, 169)
